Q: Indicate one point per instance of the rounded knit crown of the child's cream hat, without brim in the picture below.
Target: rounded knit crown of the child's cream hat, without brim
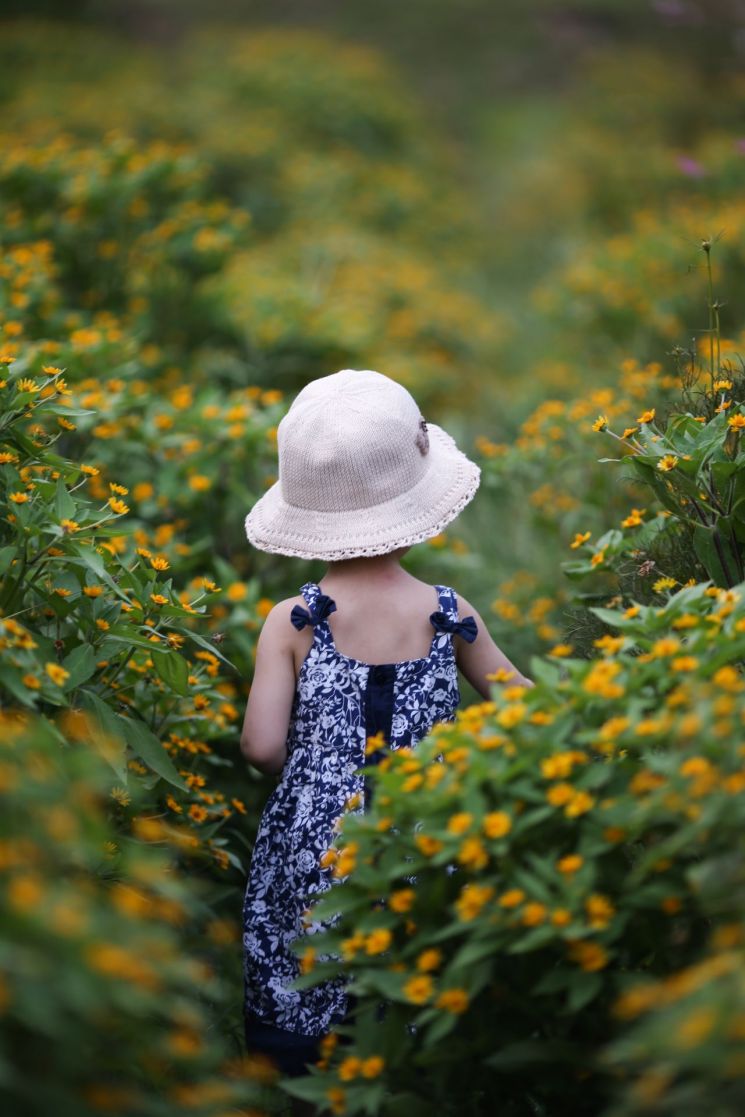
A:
(350, 442)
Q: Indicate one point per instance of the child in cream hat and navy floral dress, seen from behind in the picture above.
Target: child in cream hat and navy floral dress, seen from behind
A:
(372, 650)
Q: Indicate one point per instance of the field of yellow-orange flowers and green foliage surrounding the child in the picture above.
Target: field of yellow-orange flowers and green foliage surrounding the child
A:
(547, 902)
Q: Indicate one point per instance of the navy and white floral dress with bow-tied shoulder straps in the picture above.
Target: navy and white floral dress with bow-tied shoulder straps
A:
(339, 703)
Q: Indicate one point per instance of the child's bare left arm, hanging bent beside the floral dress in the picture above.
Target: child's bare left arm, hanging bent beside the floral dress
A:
(264, 737)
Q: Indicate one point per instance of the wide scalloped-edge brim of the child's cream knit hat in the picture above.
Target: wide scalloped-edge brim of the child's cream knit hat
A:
(443, 492)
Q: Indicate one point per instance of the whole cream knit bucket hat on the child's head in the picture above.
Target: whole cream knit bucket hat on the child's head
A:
(360, 473)
